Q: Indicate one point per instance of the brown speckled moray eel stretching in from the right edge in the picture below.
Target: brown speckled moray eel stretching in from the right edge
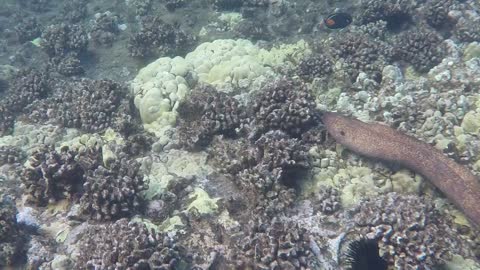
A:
(382, 142)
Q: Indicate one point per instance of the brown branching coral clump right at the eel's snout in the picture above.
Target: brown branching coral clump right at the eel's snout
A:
(283, 105)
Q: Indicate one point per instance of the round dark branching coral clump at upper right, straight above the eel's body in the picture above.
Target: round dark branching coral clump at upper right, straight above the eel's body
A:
(423, 49)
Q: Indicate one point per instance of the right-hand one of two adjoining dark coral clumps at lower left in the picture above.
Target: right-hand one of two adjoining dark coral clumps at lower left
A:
(113, 191)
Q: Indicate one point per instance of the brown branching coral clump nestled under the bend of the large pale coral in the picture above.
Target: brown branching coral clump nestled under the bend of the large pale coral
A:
(206, 113)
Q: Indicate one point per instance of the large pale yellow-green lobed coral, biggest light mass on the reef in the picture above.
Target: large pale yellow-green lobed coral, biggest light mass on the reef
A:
(160, 86)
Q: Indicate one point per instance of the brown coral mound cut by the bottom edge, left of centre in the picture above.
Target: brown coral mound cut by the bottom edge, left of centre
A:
(128, 245)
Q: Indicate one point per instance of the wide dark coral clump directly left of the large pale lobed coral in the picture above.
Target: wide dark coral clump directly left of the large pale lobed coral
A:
(90, 105)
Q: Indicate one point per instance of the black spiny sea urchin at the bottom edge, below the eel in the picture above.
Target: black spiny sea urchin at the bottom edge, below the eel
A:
(363, 254)
